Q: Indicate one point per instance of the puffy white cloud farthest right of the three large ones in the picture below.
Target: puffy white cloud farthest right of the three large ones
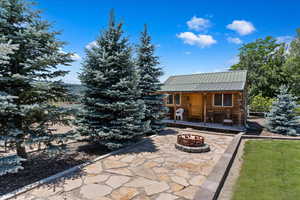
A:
(242, 27)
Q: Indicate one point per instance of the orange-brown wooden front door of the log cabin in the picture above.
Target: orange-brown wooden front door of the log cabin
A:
(196, 107)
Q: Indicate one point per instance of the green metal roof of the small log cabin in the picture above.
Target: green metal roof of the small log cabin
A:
(217, 81)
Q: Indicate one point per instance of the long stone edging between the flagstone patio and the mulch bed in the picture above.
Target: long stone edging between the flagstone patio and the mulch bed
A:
(68, 171)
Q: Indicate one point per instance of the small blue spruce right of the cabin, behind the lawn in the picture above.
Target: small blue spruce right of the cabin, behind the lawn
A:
(282, 118)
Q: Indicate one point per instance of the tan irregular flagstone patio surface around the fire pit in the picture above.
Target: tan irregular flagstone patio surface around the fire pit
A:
(153, 170)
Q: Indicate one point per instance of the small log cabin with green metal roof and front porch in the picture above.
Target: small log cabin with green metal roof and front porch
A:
(219, 98)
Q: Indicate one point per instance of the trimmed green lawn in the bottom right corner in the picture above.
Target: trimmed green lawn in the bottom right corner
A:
(270, 171)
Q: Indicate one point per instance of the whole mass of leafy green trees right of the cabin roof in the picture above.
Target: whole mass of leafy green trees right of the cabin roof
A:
(271, 64)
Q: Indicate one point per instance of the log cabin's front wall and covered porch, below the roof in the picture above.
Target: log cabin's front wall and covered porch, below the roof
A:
(208, 109)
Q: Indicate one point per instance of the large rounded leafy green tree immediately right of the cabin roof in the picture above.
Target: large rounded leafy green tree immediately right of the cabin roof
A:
(263, 59)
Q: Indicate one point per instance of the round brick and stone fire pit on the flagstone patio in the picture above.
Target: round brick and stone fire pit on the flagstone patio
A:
(191, 143)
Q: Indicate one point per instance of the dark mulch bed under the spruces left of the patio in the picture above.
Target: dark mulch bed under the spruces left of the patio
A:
(40, 166)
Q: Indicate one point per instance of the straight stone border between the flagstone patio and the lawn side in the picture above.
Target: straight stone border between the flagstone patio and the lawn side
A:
(211, 187)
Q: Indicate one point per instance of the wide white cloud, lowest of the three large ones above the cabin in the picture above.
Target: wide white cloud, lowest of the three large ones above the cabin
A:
(198, 40)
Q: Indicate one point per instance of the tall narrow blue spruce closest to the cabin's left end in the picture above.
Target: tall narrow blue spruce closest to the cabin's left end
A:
(149, 83)
